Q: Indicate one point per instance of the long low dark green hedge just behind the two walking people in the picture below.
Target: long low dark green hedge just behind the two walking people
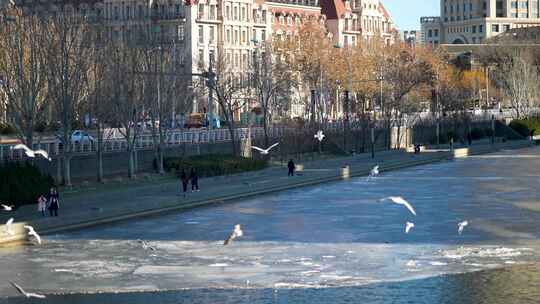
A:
(213, 164)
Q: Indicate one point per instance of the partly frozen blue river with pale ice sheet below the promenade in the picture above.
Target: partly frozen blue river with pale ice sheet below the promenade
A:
(330, 243)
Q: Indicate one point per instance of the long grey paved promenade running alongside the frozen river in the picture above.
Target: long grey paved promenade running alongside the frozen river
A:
(90, 208)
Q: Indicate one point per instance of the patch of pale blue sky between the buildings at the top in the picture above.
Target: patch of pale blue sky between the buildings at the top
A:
(406, 13)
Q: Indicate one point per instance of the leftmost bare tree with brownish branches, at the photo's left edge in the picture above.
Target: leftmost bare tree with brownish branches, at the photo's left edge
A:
(23, 77)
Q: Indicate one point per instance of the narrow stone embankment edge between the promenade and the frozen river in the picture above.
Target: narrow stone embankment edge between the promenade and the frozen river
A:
(443, 156)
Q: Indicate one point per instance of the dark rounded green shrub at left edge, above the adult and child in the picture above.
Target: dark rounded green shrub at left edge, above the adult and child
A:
(22, 183)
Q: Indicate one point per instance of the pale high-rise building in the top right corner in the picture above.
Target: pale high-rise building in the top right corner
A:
(475, 21)
